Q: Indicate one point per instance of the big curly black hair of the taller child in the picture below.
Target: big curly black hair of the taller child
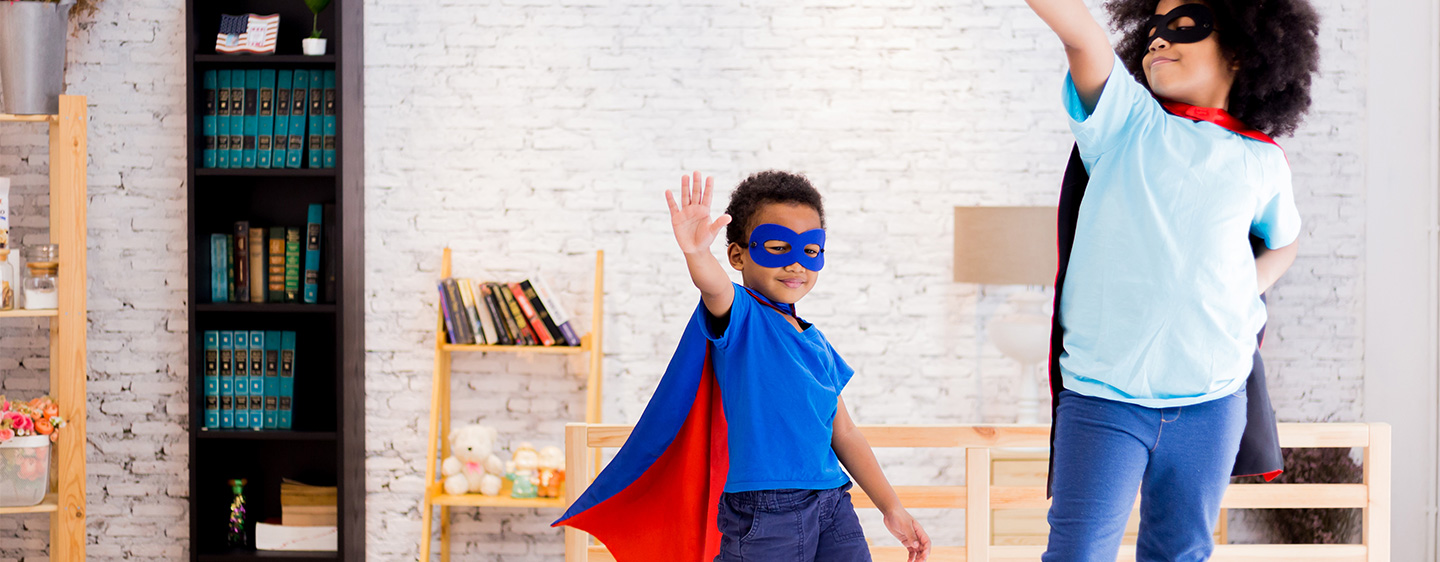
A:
(1272, 41)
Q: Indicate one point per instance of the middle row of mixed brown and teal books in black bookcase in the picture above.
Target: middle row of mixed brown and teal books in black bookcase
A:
(276, 266)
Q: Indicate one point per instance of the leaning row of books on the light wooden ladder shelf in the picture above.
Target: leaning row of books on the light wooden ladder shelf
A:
(505, 315)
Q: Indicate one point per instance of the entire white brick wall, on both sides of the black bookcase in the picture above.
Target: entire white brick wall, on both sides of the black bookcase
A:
(529, 133)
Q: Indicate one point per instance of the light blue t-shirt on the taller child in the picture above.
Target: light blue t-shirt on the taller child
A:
(1161, 302)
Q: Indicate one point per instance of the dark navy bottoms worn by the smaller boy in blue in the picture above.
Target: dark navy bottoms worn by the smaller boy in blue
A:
(791, 527)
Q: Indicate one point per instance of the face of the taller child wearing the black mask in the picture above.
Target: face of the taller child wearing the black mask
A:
(1197, 74)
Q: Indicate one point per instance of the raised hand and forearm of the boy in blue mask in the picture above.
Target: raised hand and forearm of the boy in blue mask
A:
(696, 233)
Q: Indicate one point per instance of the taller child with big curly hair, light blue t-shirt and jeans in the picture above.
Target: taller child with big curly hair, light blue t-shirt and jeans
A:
(1161, 300)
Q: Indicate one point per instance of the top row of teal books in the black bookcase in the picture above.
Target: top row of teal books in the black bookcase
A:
(269, 119)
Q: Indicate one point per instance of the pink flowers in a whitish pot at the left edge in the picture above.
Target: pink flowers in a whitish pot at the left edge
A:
(27, 432)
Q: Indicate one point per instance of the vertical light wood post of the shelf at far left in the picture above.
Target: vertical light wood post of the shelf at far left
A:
(68, 370)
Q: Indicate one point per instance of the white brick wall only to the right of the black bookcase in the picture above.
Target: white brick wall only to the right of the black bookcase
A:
(518, 132)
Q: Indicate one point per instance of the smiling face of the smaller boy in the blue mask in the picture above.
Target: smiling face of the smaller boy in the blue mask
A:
(786, 285)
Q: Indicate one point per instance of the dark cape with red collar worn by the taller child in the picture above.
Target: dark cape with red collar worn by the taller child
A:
(1261, 443)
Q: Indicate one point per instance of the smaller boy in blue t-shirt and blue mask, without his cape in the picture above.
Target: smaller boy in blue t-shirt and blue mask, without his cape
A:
(786, 498)
